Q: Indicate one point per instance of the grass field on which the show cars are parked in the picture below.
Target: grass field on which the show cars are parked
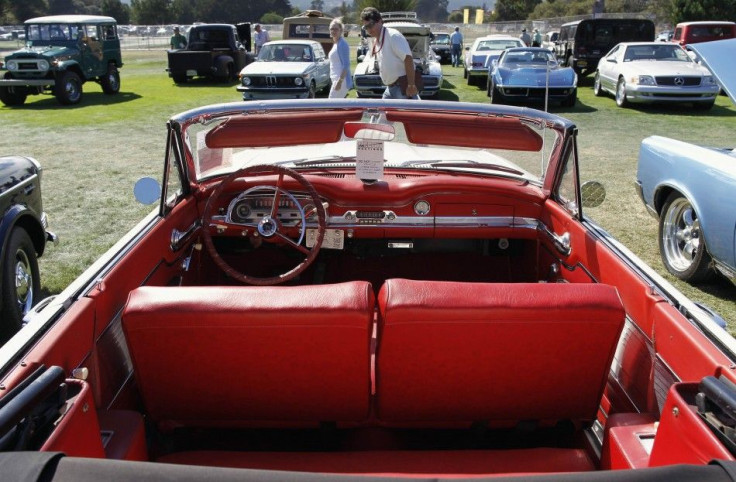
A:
(93, 153)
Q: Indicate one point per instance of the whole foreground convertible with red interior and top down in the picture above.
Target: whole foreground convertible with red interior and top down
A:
(360, 289)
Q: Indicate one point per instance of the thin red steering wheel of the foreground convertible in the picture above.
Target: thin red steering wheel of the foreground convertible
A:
(268, 228)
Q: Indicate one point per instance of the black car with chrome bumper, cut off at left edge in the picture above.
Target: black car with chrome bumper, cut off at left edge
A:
(23, 239)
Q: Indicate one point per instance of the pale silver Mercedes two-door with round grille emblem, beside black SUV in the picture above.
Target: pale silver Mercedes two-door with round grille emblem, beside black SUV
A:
(654, 72)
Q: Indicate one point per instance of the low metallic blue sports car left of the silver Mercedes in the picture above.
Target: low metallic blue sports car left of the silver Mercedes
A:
(529, 74)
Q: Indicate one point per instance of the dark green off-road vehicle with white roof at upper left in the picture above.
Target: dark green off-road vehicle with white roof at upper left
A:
(62, 52)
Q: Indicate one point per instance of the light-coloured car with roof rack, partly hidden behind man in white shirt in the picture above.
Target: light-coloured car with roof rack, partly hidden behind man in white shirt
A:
(367, 80)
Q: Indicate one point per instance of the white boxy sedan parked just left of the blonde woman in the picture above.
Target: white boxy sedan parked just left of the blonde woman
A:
(293, 69)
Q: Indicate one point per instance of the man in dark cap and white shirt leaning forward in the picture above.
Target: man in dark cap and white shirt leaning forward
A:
(393, 55)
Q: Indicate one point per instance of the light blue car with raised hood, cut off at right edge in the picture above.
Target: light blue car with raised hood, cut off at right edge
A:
(690, 189)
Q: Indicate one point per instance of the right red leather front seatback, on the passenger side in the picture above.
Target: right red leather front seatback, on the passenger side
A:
(465, 352)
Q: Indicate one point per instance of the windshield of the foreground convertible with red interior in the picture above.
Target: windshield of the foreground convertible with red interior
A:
(297, 145)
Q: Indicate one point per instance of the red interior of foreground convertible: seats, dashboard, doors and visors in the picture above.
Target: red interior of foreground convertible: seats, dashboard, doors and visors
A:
(493, 334)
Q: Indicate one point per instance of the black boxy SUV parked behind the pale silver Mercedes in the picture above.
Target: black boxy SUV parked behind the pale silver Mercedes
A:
(581, 44)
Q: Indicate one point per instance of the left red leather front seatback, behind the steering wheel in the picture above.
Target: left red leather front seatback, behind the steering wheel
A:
(224, 355)
